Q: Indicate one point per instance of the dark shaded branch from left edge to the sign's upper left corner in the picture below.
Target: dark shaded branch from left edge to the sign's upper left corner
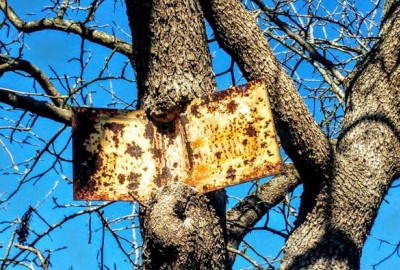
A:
(40, 108)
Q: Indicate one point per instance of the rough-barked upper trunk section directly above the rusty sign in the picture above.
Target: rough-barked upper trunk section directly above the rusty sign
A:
(172, 59)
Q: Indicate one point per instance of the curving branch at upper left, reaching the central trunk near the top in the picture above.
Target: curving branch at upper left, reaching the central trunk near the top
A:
(67, 26)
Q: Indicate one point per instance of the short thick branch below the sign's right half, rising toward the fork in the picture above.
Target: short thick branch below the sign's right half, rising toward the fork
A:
(251, 209)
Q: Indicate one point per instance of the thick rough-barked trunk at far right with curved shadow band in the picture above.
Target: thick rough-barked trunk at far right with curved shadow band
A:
(367, 161)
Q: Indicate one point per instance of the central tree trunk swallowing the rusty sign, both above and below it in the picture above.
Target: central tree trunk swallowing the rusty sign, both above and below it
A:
(181, 229)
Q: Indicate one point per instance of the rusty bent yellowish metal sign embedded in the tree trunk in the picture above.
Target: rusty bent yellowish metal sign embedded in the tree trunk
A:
(220, 140)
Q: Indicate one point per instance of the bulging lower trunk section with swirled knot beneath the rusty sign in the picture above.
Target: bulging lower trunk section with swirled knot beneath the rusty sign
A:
(181, 229)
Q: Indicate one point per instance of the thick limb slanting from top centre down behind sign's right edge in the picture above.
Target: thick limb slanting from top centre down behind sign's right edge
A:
(301, 138)
